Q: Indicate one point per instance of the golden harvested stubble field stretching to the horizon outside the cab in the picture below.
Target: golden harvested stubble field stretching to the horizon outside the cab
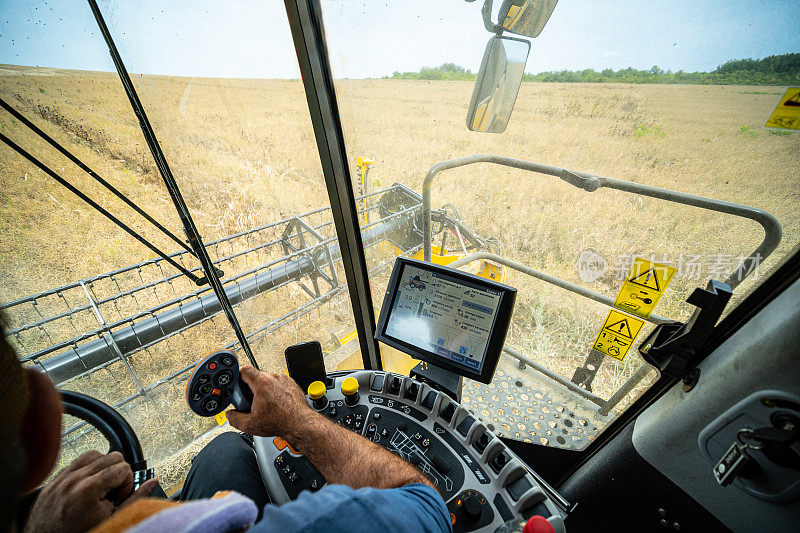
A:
(244, 154)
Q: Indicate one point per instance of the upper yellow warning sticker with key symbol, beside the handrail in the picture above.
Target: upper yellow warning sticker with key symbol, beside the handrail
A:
(645, 283)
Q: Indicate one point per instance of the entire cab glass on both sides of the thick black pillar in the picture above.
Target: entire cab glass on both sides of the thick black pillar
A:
(680, 104)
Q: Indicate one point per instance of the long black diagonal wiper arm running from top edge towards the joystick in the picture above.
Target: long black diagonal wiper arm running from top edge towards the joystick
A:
(172, 187)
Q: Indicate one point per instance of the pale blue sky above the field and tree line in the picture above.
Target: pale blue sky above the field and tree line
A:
(251, 39)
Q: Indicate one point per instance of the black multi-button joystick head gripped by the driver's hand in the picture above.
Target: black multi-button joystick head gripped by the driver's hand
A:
(216, 383)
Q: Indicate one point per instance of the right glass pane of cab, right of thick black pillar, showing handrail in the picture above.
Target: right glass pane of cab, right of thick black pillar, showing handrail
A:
(679, 104)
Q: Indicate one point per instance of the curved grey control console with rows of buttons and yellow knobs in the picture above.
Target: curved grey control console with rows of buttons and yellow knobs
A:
(483, 483)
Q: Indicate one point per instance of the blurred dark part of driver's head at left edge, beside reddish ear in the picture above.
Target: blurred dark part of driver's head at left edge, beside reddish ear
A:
(15, 393)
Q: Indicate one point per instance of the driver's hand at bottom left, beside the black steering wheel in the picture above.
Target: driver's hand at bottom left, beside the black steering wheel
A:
(80, 496)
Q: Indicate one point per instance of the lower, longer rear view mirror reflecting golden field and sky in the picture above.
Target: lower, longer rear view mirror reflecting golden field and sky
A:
(498, 84)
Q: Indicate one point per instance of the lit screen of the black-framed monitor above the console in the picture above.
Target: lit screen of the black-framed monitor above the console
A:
(443, 315)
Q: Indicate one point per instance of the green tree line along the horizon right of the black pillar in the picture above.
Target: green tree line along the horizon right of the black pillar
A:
(773, 70)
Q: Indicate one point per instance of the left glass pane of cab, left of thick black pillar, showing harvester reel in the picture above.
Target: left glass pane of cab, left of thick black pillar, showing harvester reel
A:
(98, 311)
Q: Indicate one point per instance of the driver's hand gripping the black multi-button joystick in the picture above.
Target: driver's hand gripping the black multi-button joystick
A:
(278, 404)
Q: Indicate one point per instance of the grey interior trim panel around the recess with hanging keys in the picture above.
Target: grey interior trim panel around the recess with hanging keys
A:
(666, 434)
